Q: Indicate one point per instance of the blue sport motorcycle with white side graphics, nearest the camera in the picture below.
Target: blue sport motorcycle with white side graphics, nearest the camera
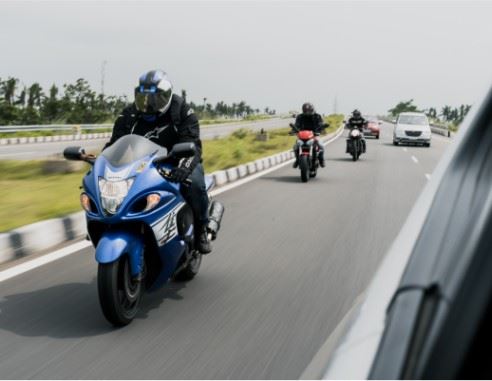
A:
(138, 221)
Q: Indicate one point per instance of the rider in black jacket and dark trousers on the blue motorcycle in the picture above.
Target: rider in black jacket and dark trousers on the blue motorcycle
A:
(165, 119)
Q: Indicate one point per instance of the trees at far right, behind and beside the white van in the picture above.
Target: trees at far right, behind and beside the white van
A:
(447, 114)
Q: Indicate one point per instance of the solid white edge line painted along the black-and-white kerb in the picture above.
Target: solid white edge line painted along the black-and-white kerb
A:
(47, 258)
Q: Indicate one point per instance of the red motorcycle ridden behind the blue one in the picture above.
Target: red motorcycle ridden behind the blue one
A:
(308, 153)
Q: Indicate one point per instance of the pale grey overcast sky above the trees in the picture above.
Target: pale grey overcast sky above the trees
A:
(368, 54)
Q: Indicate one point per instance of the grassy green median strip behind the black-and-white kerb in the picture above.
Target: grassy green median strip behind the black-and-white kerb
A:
(27, 195)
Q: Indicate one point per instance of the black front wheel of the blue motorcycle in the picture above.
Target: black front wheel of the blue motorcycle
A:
(119, 294)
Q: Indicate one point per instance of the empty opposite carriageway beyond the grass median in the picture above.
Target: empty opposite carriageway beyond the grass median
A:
(208, 132)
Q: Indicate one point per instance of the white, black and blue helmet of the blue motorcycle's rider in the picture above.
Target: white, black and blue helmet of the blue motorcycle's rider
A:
(154, 93)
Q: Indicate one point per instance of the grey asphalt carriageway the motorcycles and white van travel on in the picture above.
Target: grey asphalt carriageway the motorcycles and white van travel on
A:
(289, 263)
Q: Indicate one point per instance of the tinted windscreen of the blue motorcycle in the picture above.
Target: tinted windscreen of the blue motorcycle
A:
(131, 148)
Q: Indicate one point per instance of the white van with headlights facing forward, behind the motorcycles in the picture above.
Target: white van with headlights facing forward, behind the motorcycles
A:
(412, 128)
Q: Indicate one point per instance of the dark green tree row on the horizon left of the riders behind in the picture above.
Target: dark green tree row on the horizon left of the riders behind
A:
(77, 102)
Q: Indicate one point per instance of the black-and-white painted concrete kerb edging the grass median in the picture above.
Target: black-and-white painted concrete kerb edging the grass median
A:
(44, 235)
